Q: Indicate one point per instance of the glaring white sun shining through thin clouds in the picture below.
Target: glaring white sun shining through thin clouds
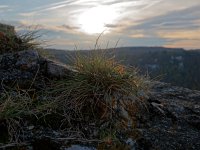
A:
(94, 20)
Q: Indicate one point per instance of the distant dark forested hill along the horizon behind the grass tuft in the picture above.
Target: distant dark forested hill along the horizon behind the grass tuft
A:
(173, 65)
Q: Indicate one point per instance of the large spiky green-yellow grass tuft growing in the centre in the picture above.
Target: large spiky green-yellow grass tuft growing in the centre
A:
(101, 88)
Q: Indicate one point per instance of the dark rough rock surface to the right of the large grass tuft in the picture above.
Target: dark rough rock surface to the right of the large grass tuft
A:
(173, 121)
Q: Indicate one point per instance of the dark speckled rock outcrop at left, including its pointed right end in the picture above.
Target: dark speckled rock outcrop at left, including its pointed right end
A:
(25, 66)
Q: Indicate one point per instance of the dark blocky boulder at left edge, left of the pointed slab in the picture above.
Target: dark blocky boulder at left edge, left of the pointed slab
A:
(19, 66)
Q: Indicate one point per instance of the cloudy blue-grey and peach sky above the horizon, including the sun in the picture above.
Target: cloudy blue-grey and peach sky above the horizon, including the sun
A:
(71, 24)
